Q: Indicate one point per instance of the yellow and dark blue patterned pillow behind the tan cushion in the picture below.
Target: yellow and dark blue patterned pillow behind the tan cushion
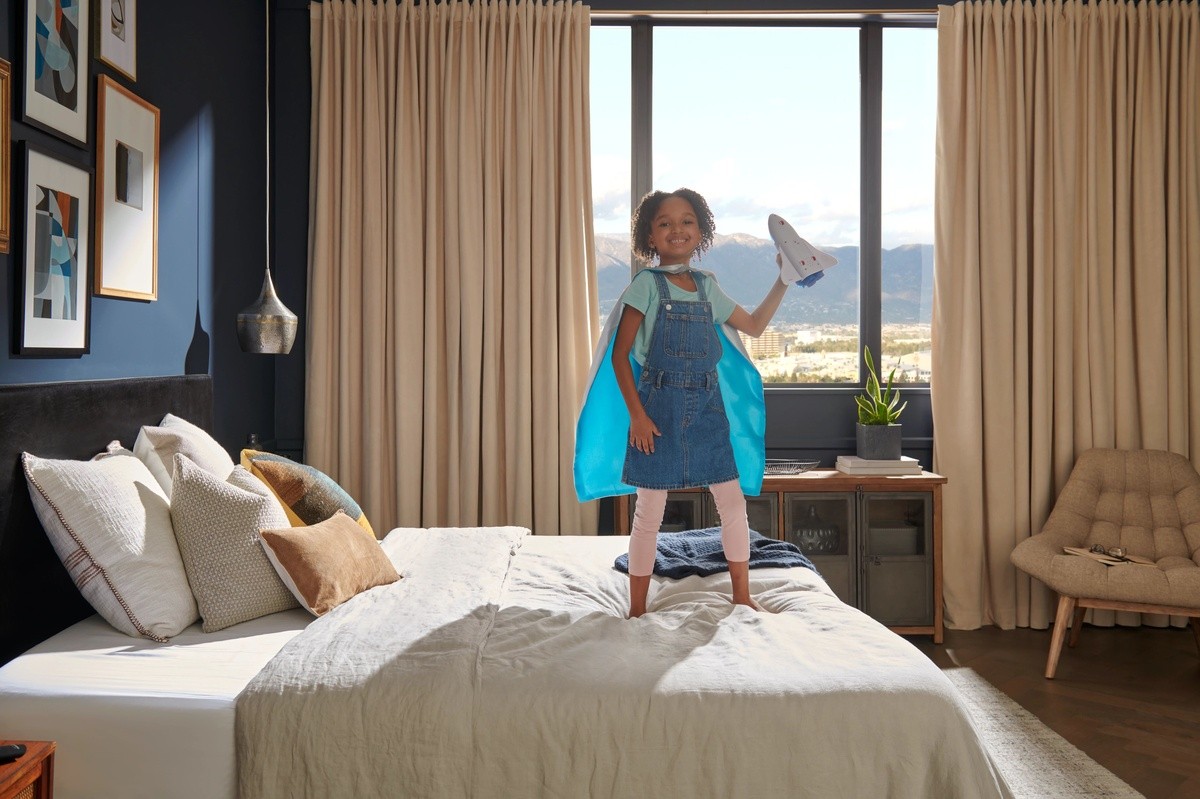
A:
(308, 495)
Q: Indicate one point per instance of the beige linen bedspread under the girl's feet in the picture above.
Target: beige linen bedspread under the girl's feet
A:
(502, 665)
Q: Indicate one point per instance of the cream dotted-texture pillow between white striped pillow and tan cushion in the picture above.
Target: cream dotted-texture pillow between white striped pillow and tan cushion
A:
(217, 526)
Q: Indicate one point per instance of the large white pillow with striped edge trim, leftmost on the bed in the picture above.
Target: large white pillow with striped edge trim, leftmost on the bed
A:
(110, 524)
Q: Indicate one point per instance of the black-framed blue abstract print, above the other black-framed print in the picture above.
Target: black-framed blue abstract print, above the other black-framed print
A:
(57, 80)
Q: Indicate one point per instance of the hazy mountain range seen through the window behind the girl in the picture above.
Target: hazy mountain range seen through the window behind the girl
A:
(746, 267)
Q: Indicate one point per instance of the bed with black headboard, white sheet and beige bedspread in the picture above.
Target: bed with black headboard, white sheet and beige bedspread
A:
(500, 665)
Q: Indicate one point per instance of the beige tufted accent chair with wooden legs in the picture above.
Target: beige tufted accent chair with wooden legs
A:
(1144, 501)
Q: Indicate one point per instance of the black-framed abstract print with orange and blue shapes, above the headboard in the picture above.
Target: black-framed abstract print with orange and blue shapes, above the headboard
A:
(53, 273)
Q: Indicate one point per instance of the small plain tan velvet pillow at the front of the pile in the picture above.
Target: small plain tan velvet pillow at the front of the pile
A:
(328, 563)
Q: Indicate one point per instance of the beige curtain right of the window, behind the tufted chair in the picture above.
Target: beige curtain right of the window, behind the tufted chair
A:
(1067, 299)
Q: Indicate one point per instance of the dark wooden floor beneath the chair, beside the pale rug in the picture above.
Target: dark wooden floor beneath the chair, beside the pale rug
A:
(1130, 698)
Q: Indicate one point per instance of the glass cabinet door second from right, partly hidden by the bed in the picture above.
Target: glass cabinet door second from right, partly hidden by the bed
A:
(823, 526)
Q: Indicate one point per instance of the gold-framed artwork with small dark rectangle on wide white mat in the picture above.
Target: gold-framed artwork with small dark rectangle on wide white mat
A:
(128, 194)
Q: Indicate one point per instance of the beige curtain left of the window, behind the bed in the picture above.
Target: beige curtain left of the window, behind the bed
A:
(452, 277)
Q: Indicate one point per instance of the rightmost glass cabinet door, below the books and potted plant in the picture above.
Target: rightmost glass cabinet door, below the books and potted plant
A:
(898, 568)
